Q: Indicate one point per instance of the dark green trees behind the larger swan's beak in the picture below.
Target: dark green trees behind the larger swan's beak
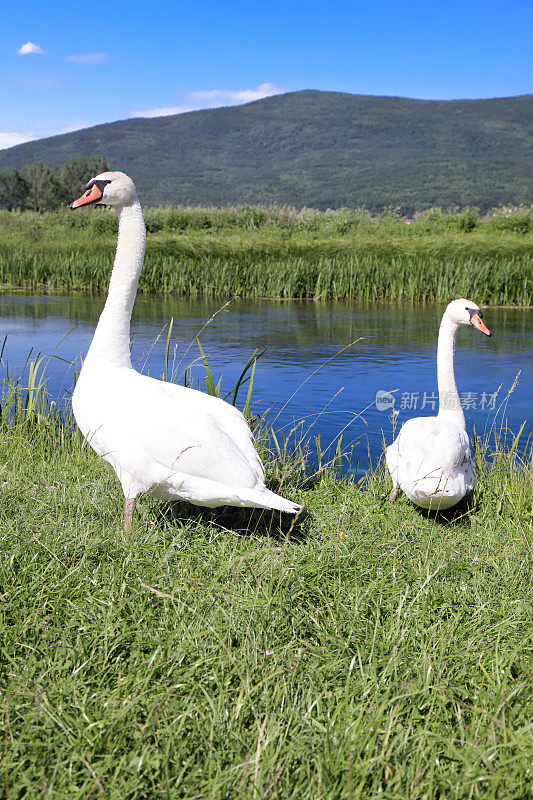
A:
(37, 187)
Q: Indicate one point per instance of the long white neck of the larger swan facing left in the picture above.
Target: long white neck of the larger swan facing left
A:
(111, 340)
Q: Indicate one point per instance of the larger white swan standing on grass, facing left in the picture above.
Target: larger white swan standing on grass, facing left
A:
(160, 438)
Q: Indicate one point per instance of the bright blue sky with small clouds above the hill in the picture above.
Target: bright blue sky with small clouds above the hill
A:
(66, 65)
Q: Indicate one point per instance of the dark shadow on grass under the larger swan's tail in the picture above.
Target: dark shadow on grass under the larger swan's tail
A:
(246, 522)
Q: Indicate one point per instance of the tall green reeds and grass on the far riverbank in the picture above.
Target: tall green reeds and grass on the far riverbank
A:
(280, 252)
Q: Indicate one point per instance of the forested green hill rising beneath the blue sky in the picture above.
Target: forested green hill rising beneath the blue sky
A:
(319, 149)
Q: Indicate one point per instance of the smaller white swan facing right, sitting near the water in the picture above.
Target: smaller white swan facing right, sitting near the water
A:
(430, 458)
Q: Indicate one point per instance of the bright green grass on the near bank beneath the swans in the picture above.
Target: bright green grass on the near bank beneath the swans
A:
(371, 651)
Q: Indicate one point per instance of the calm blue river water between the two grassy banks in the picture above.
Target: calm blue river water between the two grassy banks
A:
(302, 378)
